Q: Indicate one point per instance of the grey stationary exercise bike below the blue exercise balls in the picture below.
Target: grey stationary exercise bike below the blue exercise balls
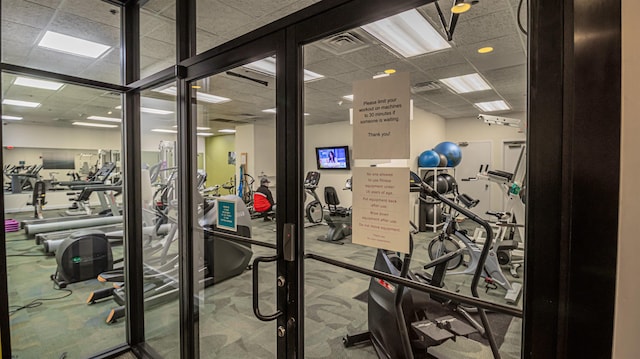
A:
(449, 241)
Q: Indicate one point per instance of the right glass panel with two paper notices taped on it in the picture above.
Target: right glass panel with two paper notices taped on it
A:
(397, 245)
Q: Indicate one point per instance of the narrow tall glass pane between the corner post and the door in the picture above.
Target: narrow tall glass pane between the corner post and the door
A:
(160, 241)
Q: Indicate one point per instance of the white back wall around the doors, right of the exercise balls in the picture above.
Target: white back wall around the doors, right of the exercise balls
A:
(472, 129)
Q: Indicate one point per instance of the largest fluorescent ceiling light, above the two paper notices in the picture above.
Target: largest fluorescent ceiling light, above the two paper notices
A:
(408, 33)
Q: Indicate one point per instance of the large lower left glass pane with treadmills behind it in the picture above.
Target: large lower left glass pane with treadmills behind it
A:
(63, 183)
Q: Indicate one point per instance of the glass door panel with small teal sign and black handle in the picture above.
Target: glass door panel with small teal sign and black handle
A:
(236, 172)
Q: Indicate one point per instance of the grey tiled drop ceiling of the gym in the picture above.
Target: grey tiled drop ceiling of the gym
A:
(490, 22)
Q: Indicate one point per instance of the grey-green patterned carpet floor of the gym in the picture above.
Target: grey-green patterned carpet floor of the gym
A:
(227, 326)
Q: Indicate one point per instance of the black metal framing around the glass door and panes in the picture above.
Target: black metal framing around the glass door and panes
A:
(568, 95)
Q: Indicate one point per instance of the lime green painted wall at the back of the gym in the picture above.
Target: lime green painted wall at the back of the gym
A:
(217, 150)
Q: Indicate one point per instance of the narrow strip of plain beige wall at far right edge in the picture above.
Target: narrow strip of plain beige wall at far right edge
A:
(627, 311)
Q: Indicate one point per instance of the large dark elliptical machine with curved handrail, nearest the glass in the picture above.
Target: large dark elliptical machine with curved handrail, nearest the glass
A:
(400, 326)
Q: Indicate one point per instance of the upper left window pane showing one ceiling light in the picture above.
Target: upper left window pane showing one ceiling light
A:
(75, 37)
